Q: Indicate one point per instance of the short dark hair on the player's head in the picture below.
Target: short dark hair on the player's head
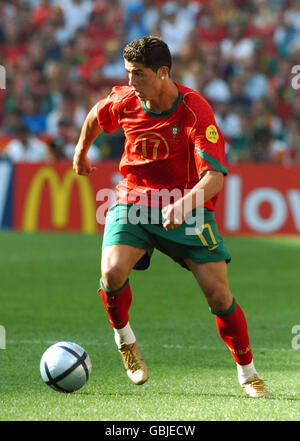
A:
(150, 51)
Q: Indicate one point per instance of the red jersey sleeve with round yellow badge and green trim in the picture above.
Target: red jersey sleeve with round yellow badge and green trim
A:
(209, 143)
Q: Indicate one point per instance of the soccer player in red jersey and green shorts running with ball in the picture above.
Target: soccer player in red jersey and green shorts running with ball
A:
(172, 147)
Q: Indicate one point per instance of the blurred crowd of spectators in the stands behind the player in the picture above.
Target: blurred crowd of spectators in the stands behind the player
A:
(61, 57)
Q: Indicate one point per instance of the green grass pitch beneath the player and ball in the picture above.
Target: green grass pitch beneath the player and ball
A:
(48, 293)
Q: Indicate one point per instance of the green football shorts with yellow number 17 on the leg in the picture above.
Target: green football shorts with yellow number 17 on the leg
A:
(141, 227)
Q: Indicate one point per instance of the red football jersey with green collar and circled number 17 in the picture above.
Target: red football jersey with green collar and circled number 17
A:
(168, 150)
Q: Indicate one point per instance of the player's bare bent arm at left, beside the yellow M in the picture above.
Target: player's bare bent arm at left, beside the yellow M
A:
(89, 132)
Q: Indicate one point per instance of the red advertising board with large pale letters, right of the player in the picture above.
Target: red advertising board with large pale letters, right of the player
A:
(260, 199)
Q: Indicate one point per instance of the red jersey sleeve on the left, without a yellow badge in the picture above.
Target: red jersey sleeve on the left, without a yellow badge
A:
(107, 112)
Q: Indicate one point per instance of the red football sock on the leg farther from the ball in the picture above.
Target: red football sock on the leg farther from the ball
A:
(232, 328)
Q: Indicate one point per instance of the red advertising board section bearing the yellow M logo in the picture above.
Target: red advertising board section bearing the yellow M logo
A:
(52, 197)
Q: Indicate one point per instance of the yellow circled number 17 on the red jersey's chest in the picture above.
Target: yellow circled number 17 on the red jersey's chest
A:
(151, 141)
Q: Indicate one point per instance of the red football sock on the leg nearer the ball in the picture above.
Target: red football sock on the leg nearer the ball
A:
(117, 304)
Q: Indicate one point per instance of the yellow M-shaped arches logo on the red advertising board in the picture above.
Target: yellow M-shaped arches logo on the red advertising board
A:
(60, 192)
